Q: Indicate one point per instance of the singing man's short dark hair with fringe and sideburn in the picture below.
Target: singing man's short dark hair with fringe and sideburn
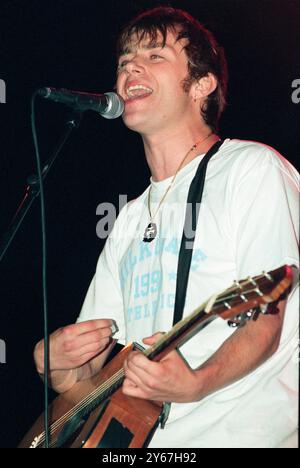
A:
(203, 52)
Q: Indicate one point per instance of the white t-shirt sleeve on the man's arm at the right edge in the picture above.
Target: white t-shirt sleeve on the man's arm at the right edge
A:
(265, 213)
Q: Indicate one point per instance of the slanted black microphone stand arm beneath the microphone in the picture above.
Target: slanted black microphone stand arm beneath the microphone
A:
(33, 189)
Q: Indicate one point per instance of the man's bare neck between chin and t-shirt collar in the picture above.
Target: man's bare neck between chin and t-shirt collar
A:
(165, 153)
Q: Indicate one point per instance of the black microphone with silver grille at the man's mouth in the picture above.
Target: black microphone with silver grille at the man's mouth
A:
(109, 105)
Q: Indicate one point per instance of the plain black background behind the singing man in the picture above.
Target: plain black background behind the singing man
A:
(70, 43)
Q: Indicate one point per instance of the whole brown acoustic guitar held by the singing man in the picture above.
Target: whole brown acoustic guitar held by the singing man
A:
(95, 412)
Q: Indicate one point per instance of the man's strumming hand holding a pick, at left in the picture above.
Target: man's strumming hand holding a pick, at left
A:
(74, 345)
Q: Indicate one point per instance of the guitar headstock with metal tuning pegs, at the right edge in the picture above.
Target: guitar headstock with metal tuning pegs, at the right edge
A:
(255, 292)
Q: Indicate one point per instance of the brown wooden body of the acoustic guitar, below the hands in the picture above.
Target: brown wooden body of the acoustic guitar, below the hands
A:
(132, 421)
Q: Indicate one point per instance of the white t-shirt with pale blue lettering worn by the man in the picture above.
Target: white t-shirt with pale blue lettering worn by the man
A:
(248, 223)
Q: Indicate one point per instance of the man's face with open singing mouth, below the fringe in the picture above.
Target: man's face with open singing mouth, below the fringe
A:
(150, 80)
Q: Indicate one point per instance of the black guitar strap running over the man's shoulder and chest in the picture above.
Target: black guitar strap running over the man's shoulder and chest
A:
(189, 232)
